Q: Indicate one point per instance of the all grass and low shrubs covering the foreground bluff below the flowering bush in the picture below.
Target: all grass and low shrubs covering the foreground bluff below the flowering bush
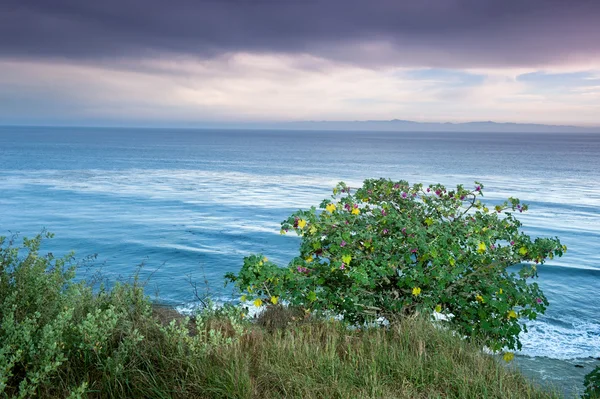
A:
(58, 338)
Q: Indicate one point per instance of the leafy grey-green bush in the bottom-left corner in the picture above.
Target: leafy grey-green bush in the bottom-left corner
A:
(51, 325)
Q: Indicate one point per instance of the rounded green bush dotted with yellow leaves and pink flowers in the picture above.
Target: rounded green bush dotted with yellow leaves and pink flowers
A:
(390, 249)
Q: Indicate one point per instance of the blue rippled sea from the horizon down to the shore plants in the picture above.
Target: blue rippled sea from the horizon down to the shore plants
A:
(189, 203)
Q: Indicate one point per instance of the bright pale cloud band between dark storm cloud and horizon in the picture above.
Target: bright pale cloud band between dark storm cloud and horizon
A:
(246, 87)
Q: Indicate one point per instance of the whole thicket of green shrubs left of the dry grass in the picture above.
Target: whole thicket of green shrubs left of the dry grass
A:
(58, 338)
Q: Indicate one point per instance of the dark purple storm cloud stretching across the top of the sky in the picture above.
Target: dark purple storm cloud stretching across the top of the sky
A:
(417, 32)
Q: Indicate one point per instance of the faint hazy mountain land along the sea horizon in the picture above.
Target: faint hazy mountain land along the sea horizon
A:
(397, 125)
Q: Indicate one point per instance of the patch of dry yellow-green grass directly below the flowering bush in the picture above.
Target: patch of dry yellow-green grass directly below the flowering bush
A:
(323, 359)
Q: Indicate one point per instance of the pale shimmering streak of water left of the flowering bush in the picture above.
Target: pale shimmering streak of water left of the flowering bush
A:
(187, 186)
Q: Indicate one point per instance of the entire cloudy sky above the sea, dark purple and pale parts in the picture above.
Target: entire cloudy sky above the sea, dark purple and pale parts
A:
(192, 62)
